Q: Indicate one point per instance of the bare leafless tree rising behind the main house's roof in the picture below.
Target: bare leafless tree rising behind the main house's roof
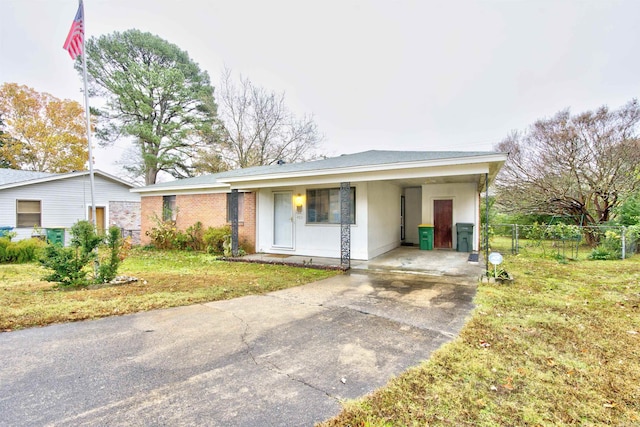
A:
(257, 129)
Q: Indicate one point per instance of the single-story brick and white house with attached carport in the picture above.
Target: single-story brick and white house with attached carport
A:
(295, 208)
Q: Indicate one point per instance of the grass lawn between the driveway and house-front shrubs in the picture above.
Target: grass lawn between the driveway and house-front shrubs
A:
(166, 279)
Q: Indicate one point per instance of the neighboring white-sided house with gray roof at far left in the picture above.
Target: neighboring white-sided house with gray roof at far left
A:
(32, 201)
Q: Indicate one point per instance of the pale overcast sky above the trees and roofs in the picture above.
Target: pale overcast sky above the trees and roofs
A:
(401, 75)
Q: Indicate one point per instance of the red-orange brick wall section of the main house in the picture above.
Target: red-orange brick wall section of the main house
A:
(209, 209)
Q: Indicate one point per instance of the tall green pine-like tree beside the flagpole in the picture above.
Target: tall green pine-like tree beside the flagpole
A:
(154, 93)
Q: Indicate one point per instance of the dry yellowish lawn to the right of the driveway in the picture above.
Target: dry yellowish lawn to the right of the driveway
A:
(560, 346)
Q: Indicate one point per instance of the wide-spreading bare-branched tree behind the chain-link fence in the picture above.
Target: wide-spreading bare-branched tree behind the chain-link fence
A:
(578, 166)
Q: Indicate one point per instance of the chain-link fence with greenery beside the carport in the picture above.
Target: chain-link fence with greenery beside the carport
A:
(565, 241)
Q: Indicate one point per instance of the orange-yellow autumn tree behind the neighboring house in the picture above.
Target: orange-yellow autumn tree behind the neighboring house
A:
(42, 133)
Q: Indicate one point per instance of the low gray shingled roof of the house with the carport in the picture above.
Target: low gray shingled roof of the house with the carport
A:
(368, 161)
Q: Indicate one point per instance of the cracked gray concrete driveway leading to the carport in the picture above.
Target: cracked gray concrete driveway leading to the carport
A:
(286, 358)
